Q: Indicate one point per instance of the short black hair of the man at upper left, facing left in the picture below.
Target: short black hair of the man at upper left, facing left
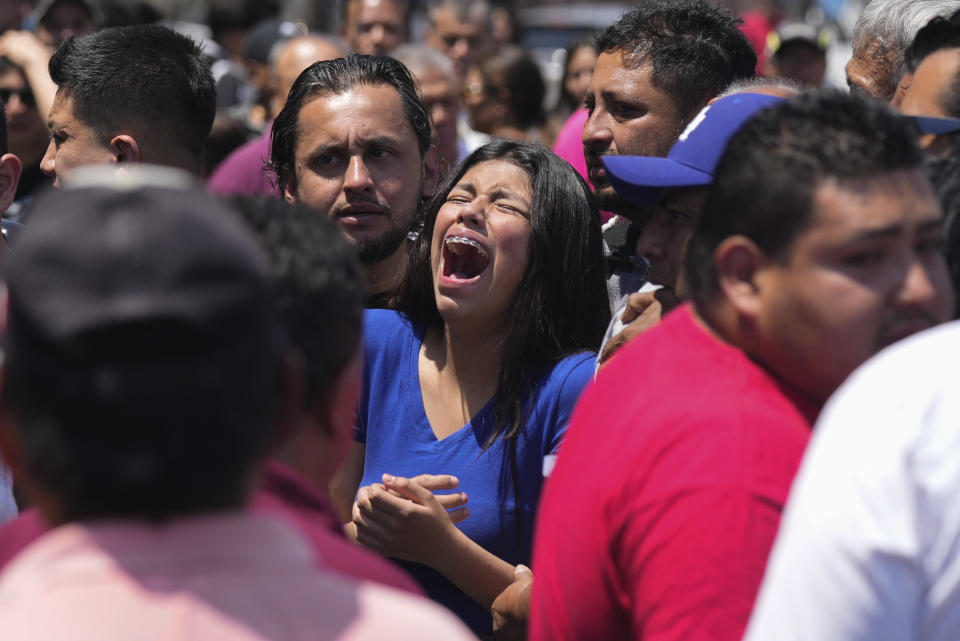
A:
(142, 75)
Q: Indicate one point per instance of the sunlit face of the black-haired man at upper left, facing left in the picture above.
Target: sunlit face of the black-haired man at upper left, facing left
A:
(72, 144)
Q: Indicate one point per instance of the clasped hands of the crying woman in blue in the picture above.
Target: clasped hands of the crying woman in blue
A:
(402, 517)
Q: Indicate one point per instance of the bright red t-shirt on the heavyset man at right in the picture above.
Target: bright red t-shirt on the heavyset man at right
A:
(658, 518)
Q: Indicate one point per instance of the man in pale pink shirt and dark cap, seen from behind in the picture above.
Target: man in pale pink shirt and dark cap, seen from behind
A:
(145, 366)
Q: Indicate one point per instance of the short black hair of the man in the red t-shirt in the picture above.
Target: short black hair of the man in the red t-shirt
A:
(764, 184)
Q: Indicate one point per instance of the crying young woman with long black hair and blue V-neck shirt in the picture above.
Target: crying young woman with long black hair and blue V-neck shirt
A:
(469, 386)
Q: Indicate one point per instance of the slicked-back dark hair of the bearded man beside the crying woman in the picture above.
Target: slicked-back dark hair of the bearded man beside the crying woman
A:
(334, 77)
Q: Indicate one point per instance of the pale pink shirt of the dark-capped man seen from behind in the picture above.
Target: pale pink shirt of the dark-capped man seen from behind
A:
(236, 577)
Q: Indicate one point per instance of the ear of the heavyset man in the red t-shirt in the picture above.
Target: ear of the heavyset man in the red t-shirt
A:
(738, 263)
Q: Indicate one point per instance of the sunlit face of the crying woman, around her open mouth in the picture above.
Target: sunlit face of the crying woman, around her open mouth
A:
(490, 205)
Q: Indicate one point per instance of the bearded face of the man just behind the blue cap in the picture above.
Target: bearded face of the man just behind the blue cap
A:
(628, 116)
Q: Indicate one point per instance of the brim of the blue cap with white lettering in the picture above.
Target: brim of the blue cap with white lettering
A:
(641, 179)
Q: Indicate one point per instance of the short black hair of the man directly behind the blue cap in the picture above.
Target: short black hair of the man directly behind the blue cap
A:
(696, 50)
